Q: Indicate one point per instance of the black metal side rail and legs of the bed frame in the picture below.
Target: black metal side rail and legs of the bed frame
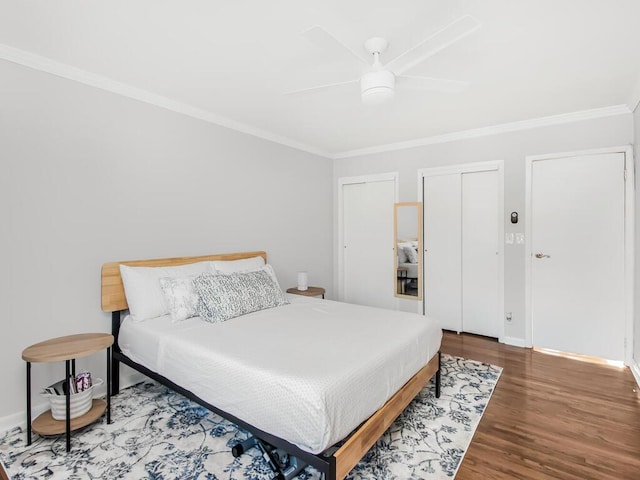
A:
(324, 462)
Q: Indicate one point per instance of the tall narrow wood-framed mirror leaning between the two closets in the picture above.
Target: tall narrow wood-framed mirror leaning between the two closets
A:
(408, 247)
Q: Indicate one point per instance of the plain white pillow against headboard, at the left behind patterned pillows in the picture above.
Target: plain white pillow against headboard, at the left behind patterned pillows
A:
(143, 291)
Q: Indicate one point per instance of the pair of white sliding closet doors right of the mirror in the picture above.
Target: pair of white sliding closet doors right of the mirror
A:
(462, 238)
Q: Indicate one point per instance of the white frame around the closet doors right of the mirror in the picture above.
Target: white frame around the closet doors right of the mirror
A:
(494, 165)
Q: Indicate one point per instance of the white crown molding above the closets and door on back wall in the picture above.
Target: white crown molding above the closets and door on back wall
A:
(492, 130)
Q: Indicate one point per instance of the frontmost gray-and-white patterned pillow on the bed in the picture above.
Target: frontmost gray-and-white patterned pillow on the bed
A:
(227, 296)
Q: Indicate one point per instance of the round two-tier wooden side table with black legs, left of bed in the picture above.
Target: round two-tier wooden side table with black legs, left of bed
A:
(67, 349)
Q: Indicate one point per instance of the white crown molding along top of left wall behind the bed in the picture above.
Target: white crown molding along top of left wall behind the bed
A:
(53, 67)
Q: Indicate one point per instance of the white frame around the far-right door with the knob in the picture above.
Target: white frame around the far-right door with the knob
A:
(629, 229)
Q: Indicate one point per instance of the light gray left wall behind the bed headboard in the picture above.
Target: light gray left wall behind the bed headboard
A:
(90, 177)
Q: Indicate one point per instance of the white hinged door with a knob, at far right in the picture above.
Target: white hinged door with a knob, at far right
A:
(577, 264)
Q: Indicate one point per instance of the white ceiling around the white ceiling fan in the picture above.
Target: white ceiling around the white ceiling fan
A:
(233, 60)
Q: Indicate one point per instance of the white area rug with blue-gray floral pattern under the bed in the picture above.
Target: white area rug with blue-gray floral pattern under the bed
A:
(158, 434)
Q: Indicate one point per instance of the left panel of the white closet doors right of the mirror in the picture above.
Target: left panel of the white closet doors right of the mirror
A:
(442, 242)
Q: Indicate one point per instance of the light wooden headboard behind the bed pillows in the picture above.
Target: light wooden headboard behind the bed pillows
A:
(113, 297)
